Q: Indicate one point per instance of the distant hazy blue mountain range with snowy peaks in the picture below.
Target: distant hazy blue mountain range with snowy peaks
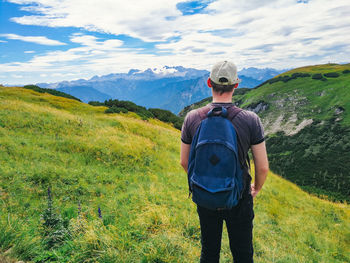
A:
(170, 88)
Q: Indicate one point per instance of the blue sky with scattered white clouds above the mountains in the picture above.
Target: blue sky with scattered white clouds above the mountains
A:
(56, 40)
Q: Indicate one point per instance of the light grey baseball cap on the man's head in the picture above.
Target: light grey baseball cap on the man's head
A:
(224, 73)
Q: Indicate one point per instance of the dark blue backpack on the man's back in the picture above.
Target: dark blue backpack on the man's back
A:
(215, 174)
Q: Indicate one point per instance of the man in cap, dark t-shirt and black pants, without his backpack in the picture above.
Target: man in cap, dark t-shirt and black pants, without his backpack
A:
(223, 81)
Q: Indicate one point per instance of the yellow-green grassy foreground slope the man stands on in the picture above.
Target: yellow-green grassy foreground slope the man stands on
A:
(130, 169)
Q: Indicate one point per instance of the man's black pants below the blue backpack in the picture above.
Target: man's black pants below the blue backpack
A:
(239, 223)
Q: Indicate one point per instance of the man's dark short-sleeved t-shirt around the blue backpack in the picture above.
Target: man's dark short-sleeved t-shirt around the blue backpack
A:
(247, 124)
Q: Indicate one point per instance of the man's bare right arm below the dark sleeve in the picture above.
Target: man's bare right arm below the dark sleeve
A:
(261, 167)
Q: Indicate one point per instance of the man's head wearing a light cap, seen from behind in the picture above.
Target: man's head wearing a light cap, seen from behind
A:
(223, 77)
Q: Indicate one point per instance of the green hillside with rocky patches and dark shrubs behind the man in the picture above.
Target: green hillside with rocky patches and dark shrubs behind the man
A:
(306, 115)
